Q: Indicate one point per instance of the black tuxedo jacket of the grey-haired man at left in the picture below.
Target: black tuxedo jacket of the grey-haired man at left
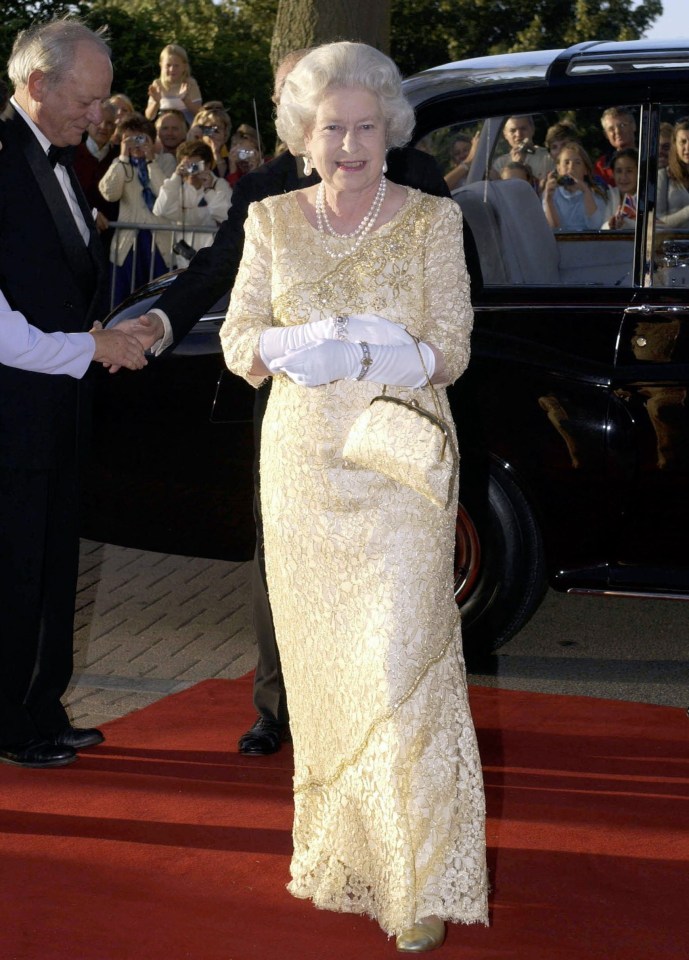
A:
(59, 283)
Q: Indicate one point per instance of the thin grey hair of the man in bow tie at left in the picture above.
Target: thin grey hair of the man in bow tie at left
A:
(50, 48)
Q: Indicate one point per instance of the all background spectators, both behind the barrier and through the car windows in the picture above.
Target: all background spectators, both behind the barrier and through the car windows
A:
(175, 164)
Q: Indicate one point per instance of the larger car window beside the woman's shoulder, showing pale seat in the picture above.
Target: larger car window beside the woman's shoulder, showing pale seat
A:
(532, 225)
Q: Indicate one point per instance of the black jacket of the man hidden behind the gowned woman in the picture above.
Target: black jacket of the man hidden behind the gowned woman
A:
(213, 270)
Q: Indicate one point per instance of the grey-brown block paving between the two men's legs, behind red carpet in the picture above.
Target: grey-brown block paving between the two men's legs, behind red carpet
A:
(148, 624)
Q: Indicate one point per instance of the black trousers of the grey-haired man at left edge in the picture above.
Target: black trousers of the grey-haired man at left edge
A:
(39, 563)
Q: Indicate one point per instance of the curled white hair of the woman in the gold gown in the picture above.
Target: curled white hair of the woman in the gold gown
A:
(336, 66)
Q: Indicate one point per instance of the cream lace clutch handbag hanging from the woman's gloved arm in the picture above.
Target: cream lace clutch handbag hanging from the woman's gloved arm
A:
(407, 443)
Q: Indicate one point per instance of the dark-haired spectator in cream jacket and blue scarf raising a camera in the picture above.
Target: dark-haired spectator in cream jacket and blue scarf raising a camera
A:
(134, 180)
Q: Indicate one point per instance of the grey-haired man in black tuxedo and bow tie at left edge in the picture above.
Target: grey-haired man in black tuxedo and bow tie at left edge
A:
(53, 283)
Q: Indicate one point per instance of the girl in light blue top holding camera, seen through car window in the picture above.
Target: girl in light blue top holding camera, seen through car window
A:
(571, 198)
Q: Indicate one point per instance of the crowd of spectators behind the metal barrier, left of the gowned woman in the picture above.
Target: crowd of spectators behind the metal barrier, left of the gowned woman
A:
(172, 163)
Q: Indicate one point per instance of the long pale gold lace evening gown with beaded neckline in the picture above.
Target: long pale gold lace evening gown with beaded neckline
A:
(389, 811)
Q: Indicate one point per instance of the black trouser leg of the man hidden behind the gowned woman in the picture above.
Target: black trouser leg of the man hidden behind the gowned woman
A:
(270, 699)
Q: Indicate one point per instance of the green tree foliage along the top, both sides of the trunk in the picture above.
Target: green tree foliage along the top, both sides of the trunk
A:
(228, 42)
